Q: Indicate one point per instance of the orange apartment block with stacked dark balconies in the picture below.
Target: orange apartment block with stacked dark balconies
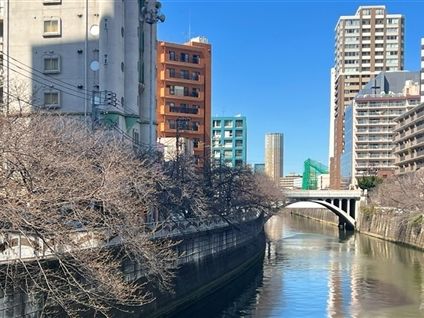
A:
(184, 93)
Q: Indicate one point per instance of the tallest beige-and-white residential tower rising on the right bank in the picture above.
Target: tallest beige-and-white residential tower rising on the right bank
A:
(367, 43)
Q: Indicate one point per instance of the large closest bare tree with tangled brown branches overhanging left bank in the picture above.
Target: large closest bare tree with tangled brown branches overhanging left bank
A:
(81, 197)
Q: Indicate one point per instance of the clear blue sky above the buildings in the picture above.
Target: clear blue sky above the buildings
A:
(271, 63)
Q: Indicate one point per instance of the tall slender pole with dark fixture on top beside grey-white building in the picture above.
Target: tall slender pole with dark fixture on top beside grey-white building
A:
(151, 15)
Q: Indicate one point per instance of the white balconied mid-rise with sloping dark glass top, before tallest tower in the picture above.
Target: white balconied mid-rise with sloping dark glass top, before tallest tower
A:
(370, 123)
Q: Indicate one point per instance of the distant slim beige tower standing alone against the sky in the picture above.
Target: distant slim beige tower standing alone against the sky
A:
(274, 156)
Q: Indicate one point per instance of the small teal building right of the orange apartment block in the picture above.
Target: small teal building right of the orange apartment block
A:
(229, 140)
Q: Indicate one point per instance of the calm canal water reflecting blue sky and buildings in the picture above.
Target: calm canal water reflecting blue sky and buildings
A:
(310, 269)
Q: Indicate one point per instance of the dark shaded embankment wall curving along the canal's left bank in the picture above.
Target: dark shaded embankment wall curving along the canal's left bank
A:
(210, 259)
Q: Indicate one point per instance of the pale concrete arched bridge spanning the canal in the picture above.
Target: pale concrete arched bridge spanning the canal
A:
(343, 203)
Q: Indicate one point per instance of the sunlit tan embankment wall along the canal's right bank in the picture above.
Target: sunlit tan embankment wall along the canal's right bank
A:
(400, 228)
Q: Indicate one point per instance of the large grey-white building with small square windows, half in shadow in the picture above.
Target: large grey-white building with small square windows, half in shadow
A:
(87, 58)
